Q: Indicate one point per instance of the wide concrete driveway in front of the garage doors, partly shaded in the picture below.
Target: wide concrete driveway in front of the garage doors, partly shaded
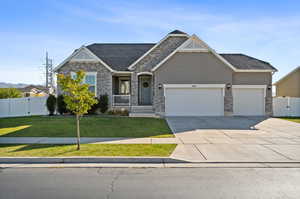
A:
(236, 139)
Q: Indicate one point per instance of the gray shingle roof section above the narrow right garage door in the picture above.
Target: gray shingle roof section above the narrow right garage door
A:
(241, 61)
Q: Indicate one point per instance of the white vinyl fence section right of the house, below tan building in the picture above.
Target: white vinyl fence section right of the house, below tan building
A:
(286, 106)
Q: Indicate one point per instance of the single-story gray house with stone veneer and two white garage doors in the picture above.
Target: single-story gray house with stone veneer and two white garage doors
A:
(178, 76)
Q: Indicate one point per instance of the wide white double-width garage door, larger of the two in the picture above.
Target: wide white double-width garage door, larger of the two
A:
(194, 102)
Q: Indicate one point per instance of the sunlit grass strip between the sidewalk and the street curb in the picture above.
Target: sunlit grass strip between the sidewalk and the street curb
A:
(45, 150)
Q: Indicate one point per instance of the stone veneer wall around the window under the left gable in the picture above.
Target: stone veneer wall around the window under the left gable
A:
(104, 76)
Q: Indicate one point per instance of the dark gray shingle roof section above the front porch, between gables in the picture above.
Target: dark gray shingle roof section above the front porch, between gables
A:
(120, 56)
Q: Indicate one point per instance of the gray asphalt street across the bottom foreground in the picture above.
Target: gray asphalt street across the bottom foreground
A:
(85, 183)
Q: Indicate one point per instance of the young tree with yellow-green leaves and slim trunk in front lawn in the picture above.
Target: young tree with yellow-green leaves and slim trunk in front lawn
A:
(77, 97)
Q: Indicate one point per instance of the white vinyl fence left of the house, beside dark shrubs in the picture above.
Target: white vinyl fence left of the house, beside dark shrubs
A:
(26, 106)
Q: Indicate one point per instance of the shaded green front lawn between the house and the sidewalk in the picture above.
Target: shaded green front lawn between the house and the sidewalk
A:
(92, 126)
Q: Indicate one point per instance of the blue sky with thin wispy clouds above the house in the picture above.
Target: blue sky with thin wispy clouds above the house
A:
(267, 30)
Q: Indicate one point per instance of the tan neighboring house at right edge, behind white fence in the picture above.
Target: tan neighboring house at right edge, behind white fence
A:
(289, 85)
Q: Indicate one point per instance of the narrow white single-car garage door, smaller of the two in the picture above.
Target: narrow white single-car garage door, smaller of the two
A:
(248, 101)
